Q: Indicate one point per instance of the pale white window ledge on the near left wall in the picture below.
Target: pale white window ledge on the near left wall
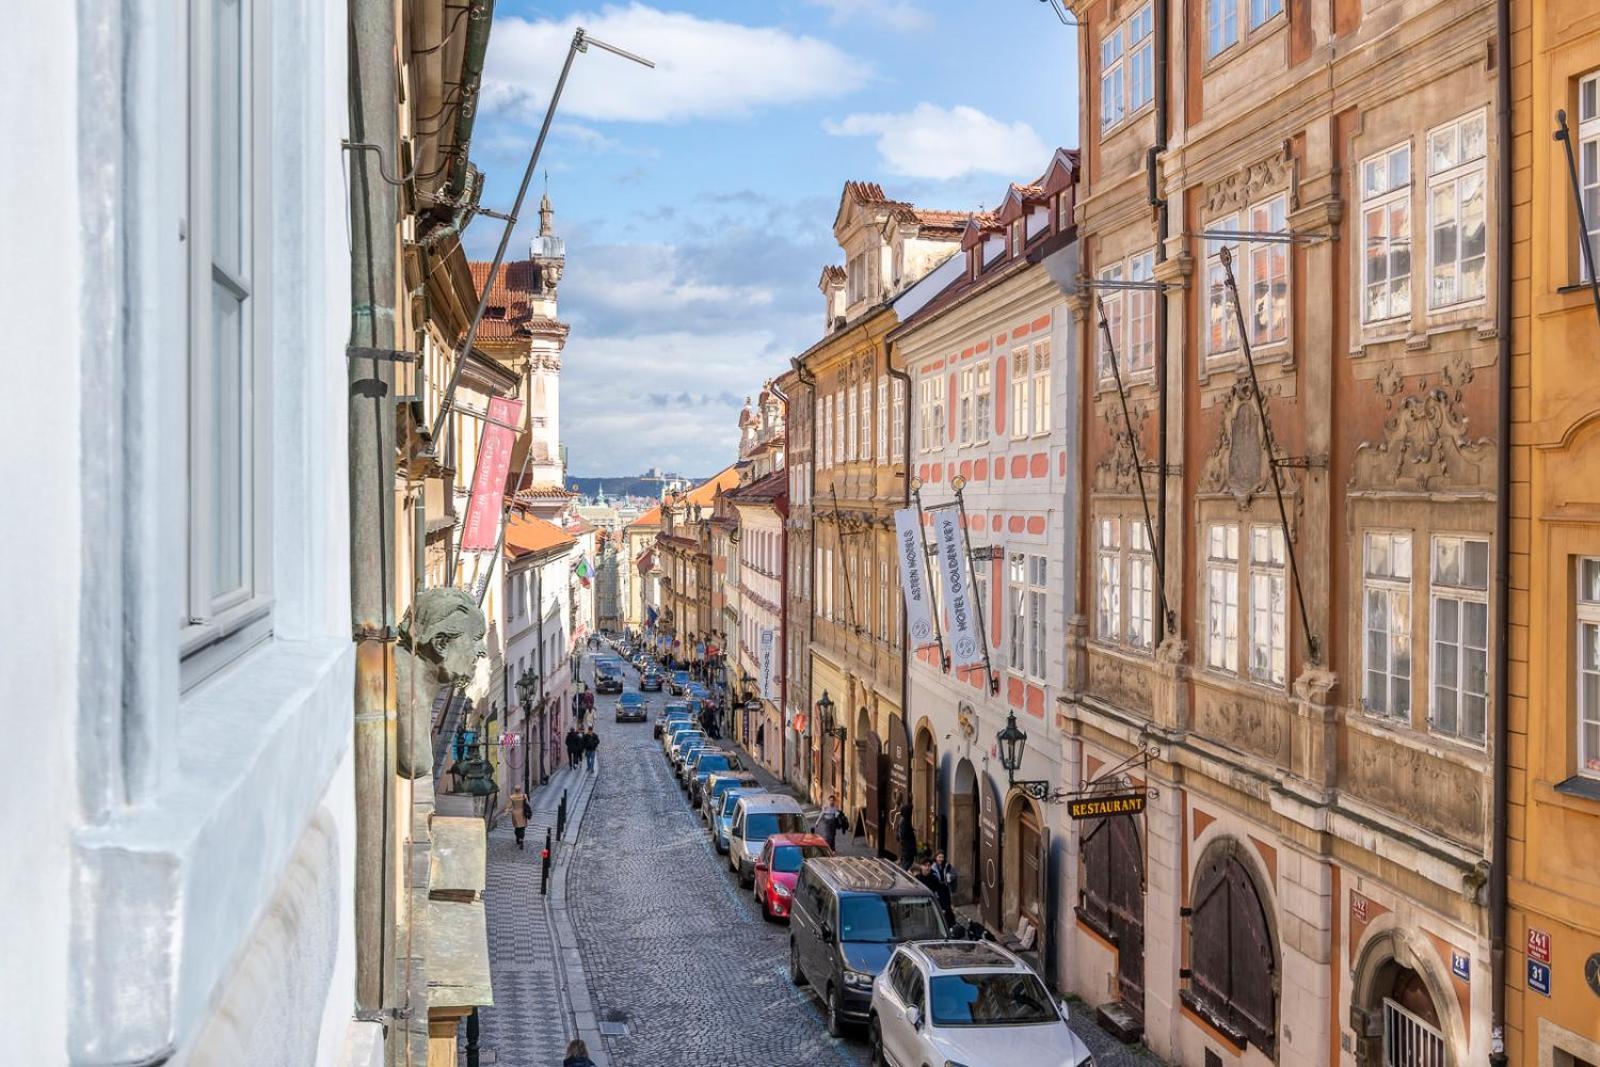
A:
(258, 746)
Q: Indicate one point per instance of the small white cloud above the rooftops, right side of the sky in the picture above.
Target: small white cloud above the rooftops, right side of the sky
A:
(945, 143)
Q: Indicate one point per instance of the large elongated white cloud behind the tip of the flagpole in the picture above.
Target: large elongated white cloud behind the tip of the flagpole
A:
(705, 68)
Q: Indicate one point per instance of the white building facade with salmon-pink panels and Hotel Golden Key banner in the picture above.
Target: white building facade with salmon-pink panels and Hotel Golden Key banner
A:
(994, 412)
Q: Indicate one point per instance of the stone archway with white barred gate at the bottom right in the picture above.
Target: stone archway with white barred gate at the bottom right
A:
(1402, 1005)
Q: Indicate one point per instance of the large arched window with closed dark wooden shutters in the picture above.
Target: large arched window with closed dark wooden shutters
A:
(1231, 961)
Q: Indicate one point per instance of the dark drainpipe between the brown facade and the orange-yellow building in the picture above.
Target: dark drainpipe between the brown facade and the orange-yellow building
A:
(1503, 295)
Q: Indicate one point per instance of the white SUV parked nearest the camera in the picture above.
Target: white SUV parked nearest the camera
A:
(967, 1004)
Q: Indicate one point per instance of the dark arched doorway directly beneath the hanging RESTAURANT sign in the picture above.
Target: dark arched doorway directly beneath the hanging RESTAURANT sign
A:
(1111, 900)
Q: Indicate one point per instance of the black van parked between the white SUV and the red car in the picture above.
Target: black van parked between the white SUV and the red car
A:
(847, 916)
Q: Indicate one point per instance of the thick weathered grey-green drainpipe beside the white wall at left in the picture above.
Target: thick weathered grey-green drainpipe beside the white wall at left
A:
(375, 284)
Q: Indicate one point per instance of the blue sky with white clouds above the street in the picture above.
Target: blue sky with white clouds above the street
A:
(698, 199)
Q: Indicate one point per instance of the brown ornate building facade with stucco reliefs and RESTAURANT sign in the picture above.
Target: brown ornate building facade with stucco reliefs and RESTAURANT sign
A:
(1311, 703)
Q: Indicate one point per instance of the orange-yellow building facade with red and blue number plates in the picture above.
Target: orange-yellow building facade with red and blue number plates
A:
(1553, 935)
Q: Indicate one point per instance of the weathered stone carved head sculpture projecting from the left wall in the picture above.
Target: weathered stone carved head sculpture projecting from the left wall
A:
(441, 645)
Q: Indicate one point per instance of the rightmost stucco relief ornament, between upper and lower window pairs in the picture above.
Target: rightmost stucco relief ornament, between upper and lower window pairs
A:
(1426, 444)
